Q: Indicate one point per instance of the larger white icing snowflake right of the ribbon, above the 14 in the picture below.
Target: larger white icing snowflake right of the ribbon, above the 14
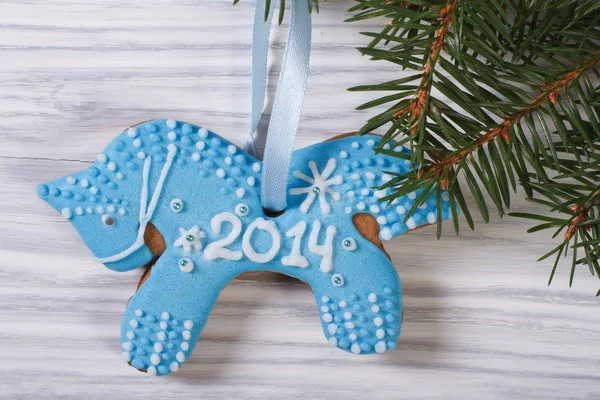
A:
(319, 185)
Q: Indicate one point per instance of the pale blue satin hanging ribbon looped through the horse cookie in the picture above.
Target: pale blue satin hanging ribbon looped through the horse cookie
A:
(289, 97)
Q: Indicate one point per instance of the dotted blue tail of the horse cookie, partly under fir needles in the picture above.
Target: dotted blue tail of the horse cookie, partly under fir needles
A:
(365, 172)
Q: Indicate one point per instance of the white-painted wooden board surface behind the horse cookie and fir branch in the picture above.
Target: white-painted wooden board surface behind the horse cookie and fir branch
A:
(479, 322)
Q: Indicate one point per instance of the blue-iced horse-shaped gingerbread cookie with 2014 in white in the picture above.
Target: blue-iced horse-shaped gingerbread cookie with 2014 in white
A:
(200, 190)
